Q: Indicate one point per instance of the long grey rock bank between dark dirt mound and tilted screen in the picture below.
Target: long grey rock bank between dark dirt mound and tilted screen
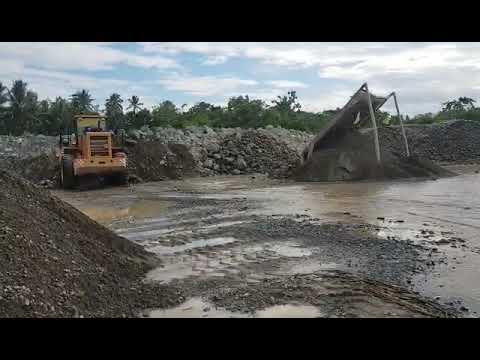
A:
(269, 150)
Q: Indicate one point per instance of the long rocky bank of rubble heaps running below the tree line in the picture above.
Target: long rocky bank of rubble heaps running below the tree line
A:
(162, 153)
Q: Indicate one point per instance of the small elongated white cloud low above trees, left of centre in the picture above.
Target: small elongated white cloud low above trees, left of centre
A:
(205, 85)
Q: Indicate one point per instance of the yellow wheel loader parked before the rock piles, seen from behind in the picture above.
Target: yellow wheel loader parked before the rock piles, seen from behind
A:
(89, 152)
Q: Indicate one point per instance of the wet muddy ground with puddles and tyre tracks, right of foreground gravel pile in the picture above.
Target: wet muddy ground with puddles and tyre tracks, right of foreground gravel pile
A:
(248, 246)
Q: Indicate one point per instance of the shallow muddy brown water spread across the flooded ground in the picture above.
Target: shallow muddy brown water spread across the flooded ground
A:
(400, 209)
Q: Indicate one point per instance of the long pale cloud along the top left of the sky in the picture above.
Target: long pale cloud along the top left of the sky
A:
(78, 56)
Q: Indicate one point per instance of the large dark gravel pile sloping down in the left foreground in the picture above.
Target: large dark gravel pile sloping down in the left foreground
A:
(57, 262)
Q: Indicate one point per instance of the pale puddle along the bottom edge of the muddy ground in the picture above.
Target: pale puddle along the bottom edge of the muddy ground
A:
(198, 308)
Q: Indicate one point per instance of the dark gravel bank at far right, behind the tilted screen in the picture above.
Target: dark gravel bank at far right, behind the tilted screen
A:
(452, 141)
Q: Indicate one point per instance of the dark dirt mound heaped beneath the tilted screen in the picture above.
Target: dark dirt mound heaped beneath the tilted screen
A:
(352, 157)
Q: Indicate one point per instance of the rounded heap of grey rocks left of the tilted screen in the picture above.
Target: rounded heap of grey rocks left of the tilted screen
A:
(252, 152)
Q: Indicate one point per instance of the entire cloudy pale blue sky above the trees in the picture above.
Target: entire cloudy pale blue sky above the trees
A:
(324, 75)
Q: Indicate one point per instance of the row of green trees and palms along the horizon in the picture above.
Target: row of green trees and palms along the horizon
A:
(21, 111)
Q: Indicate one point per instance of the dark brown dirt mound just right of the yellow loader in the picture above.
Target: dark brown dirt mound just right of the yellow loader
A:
(152, 160)
